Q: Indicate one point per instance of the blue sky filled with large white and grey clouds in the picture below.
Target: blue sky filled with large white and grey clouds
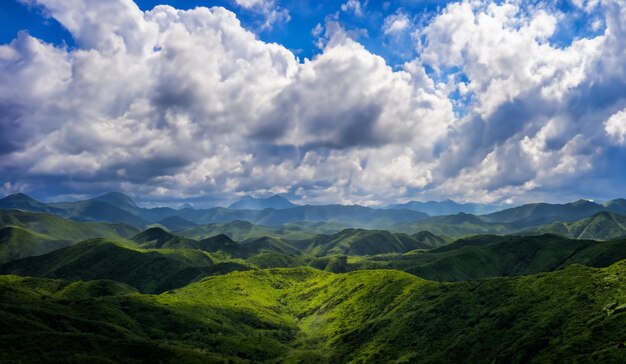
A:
(353, 102)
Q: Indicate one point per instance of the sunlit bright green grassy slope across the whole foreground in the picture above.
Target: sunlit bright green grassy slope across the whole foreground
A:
(577, 314)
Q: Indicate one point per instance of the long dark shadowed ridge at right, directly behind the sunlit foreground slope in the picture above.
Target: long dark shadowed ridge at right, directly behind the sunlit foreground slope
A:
(499, 256)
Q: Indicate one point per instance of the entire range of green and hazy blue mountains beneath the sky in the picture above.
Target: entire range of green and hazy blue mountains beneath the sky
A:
(304, 284)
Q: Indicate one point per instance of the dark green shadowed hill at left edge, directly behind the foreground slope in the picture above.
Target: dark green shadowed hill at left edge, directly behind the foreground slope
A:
(147, 270)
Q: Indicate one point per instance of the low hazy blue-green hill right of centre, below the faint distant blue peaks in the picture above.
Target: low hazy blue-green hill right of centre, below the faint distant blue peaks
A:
(458, 225)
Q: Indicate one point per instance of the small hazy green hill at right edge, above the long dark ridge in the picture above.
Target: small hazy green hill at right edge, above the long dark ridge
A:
(601, 226)
